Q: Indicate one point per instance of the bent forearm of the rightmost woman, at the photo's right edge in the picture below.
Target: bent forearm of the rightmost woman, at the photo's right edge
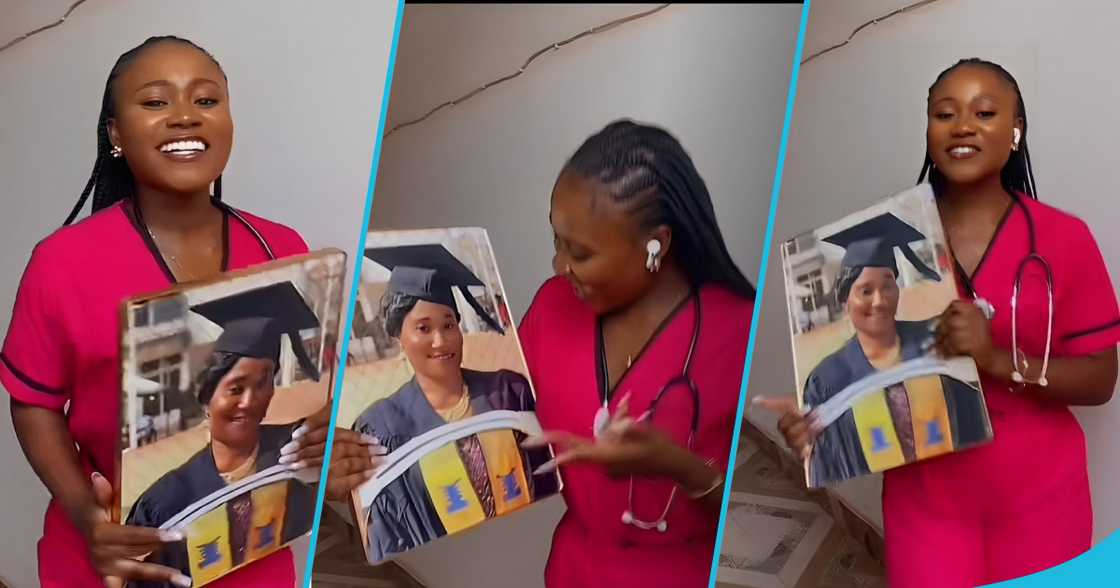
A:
(1077, 381)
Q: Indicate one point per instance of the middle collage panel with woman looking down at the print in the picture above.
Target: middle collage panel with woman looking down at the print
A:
(623, 180)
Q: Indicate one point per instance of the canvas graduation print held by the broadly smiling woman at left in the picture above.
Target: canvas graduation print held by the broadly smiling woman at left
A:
(216, 379)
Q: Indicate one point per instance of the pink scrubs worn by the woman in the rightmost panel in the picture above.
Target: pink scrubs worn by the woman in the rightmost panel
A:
(1021, 503)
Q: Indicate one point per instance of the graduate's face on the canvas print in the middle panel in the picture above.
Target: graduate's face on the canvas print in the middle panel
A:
(432, 340)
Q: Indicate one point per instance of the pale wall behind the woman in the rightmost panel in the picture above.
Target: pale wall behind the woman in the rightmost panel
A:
(858, 136)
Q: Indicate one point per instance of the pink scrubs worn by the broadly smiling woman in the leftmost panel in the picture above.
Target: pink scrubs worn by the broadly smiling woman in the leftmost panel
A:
(61, 353)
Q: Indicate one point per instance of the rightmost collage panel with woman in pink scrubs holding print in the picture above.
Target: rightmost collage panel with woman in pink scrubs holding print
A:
(969, 104)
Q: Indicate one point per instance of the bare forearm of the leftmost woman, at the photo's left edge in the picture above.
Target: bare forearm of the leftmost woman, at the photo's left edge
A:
(50, 449)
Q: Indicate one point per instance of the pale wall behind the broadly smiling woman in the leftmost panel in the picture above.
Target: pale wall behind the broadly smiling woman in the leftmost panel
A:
(306, 92)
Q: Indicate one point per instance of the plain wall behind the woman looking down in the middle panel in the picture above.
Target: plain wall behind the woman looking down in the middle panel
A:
(716, 77)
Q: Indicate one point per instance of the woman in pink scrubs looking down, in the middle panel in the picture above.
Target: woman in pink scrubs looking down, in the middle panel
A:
(645, 283)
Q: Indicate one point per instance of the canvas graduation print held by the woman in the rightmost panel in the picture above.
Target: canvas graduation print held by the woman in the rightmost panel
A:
(864, 295)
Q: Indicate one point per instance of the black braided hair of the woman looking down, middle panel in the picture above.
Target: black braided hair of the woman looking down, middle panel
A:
(648, 171)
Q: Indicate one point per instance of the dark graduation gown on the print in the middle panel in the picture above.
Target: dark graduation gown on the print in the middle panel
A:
(404, 517)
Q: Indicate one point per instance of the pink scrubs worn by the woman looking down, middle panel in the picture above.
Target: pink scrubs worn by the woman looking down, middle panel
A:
(592, 547)
